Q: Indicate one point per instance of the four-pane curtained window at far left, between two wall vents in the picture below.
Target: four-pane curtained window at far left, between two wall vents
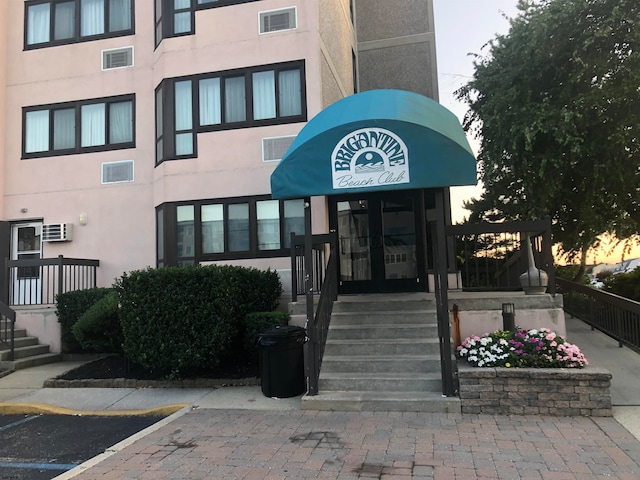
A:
(76, 127)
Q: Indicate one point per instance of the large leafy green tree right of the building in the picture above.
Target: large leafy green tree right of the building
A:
(556, 106)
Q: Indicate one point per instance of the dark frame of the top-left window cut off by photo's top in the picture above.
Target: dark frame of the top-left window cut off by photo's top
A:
(77, 27)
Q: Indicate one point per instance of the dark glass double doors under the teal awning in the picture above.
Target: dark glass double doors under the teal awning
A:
(376, 242)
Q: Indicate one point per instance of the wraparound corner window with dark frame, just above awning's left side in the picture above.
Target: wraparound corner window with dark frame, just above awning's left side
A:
(264, 95)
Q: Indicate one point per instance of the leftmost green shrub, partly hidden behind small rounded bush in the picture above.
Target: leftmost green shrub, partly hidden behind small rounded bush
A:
(69, 308)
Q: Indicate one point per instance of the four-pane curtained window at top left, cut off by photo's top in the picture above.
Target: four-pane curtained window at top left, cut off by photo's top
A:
(57, 22)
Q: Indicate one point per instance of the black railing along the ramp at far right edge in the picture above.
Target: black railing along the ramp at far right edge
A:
(613, 315)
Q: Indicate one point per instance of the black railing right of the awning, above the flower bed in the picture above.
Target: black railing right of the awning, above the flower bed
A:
(492, 256)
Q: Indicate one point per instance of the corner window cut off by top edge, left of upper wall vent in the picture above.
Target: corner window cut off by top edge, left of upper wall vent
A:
(174, 18)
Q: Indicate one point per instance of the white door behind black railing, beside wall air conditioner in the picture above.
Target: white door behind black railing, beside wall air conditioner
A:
(25, 244)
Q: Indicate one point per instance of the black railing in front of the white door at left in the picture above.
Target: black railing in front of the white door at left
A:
(38, 281)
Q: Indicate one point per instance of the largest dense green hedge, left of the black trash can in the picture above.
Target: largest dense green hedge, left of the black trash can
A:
(180, 318)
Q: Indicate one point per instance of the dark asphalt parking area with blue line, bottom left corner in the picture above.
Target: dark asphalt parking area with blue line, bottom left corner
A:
(41, 447)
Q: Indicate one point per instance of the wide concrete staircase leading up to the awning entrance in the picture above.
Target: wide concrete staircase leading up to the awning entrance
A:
(382, 353)
